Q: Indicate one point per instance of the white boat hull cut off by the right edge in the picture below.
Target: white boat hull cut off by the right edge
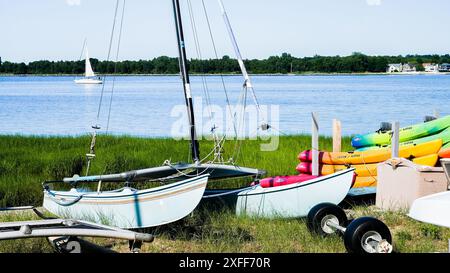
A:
(433, 209)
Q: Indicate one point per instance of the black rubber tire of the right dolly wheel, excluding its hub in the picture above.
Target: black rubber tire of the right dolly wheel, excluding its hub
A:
(361, 227)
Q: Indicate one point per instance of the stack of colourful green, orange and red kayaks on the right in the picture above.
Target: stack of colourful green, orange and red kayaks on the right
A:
(422, 143)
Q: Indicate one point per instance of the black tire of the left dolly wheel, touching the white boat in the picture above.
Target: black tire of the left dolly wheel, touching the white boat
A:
(320, 212)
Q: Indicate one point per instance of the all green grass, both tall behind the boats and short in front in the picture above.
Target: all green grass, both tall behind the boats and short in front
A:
(25, 162)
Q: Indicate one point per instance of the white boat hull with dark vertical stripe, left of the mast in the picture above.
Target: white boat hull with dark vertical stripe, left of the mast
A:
(129, 208)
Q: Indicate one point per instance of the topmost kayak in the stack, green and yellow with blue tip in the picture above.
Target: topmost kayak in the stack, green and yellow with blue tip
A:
(407, 133)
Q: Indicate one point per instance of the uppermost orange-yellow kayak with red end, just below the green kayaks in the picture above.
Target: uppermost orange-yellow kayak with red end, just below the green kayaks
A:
(374, 156)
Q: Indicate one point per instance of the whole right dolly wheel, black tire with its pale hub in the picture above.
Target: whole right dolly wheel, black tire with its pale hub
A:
(367, 235)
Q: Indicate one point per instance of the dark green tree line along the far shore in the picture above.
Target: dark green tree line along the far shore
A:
(285, 63)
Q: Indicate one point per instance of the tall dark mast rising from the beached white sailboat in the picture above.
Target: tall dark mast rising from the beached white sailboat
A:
(195, 151)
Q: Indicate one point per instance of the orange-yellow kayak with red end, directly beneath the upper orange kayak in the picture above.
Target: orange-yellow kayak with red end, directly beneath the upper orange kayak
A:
(363, 169)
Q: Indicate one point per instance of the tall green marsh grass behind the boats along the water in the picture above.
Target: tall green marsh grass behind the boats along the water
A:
(25, 162)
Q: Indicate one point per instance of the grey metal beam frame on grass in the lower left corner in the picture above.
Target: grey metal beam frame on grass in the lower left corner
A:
(63, 234)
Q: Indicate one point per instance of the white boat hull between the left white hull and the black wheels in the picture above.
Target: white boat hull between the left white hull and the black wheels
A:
(295, 200)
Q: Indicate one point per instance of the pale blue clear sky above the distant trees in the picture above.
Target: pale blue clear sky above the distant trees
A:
(55, 29)
